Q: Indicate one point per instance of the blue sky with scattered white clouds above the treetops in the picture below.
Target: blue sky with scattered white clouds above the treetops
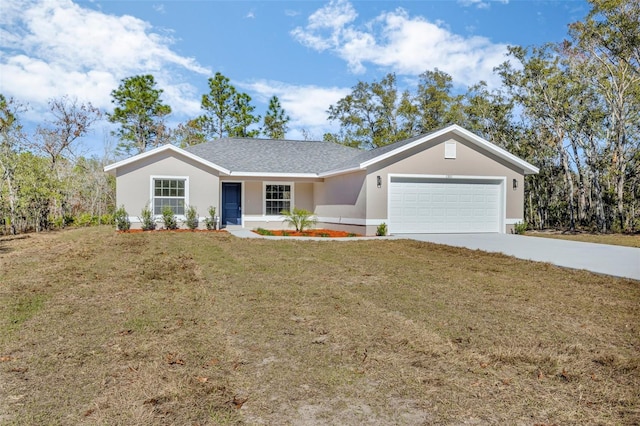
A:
(308, 53)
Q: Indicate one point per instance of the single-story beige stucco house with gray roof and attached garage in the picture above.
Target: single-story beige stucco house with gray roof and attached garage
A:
(447, 181)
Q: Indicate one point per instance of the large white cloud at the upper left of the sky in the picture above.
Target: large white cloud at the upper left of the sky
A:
(51, 48)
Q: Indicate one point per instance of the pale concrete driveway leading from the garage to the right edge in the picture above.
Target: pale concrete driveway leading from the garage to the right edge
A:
(601, 258)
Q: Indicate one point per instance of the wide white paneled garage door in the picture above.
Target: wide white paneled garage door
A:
(418, 205)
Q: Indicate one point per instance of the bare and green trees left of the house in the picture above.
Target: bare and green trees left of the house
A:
(43, 183)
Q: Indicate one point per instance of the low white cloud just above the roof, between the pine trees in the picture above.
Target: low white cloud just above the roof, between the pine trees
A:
(306, 105)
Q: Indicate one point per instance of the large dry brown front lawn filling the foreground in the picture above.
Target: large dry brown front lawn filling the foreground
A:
(197, 328)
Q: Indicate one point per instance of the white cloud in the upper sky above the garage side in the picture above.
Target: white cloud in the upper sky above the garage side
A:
(400, 43)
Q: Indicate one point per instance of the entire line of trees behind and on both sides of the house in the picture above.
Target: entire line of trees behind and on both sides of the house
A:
(572, 109)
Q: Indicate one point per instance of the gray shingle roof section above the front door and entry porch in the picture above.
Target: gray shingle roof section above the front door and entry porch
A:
(274, 156)
